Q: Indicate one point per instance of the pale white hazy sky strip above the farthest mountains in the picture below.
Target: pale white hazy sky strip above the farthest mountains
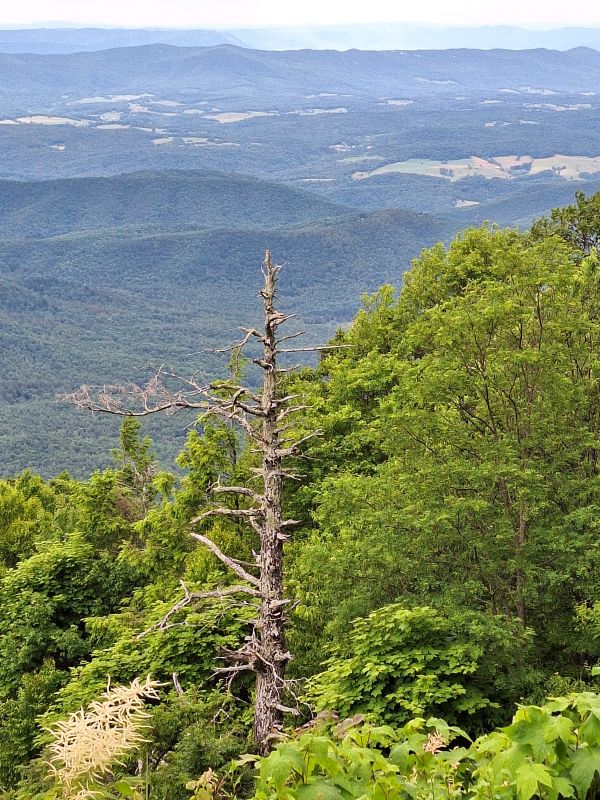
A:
(244, 13)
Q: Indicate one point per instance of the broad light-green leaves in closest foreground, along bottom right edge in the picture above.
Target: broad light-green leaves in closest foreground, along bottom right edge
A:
(547, 752)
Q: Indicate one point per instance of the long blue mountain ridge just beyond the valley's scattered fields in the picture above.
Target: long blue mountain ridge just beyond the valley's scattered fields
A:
(267, 77)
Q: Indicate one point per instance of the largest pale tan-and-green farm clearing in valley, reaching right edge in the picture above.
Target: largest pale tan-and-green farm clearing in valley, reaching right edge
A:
(503, 167)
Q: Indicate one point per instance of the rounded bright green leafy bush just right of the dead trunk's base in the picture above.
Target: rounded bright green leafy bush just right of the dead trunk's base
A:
(398, 663)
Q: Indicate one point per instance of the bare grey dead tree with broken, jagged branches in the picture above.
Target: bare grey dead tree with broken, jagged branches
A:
(264, 417)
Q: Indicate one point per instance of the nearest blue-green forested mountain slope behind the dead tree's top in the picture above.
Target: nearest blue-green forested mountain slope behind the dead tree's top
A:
(113, 303)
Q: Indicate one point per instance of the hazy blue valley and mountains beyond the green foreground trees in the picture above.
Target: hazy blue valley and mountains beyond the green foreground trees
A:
(140, 183)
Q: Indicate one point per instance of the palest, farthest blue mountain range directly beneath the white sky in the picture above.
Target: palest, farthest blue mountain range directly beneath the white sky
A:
(392, 36)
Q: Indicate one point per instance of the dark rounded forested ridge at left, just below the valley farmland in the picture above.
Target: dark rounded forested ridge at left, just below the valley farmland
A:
(197, 198)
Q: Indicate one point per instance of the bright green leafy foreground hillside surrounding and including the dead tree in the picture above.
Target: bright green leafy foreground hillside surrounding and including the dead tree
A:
(437, 531)
